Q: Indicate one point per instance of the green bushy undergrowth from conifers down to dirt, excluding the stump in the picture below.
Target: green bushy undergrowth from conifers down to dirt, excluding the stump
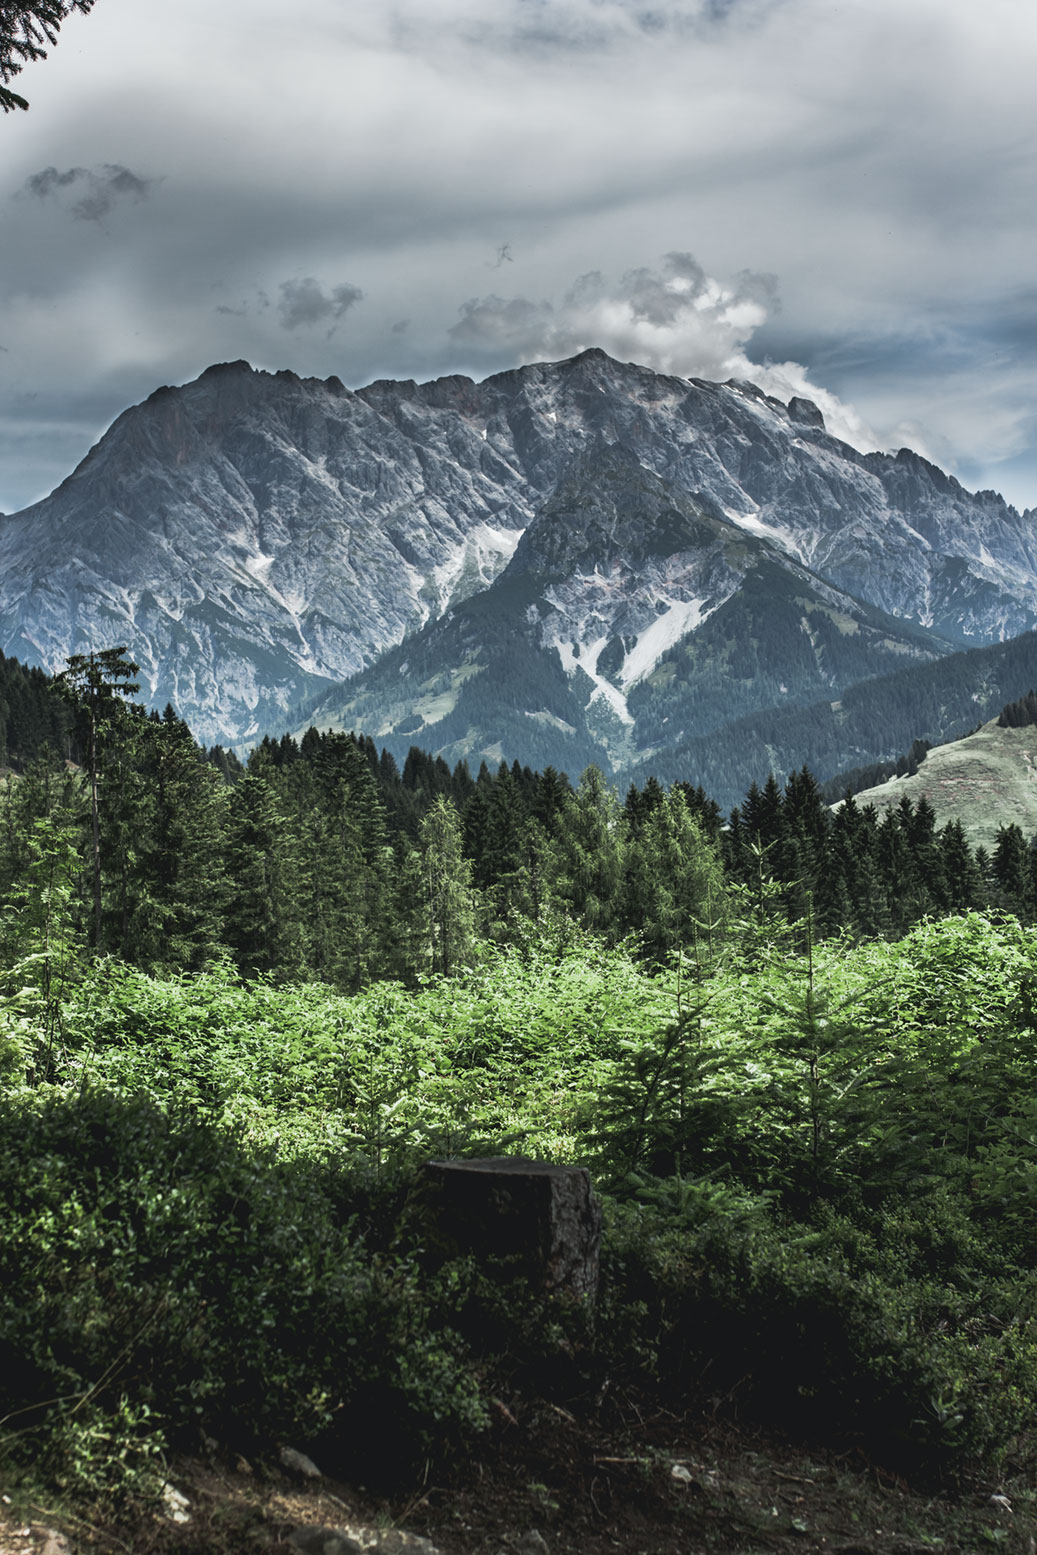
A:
(820, 1175)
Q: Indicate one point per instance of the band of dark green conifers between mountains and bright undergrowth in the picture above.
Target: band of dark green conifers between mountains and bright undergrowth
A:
(323, 859)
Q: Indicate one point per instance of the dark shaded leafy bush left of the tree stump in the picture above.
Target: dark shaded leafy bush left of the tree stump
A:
(155, 1270)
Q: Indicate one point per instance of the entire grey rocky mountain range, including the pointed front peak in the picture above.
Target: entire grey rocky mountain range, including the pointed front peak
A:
(568, 562)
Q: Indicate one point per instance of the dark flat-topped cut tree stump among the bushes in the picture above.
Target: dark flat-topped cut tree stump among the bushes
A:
(542, 1215)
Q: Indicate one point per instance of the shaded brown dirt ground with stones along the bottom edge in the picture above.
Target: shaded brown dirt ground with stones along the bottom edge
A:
(546, 1483)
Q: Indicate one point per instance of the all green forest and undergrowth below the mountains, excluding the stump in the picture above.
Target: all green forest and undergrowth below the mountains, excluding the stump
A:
(240, 1008)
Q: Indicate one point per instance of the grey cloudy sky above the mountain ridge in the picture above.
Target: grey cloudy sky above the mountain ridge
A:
(834, 198)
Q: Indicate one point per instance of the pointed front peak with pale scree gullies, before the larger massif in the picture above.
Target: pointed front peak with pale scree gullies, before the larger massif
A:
(629, 618)
